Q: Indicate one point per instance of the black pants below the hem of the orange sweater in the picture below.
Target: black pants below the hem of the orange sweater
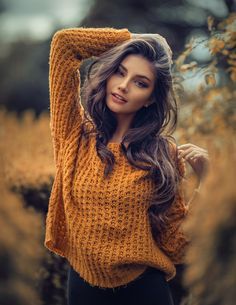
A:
(150, 288)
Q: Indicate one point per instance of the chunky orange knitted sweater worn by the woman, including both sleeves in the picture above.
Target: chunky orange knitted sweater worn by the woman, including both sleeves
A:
(100, 225)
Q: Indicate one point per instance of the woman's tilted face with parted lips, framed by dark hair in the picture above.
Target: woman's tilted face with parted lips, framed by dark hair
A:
(131, 86)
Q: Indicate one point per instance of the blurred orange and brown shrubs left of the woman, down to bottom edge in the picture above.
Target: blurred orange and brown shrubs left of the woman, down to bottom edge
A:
(27, 166)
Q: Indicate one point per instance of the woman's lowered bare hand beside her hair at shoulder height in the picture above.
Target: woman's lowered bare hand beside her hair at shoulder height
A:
(196, 156)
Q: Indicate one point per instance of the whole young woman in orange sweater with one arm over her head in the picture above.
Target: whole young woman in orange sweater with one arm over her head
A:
(117, 203)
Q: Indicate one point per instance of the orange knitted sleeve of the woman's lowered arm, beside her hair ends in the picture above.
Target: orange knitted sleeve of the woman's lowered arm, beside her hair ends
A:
(172, 240)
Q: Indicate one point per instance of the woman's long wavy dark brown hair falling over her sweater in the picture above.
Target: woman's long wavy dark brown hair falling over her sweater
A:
(149, 135)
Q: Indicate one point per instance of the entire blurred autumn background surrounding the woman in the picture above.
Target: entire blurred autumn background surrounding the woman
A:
(203, 38)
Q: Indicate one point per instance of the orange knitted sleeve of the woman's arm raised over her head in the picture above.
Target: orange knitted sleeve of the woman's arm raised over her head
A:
(68, 48)
